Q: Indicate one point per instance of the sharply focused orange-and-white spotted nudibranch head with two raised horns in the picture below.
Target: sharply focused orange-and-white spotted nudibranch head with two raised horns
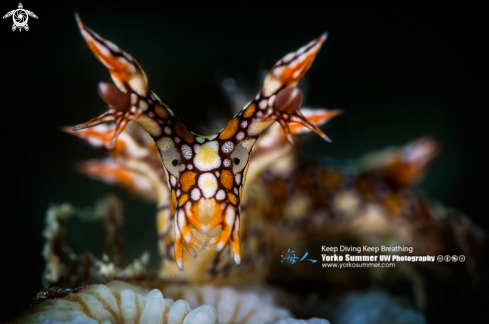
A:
(205, 174)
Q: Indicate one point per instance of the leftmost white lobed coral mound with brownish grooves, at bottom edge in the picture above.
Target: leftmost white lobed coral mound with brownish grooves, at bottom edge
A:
(118, 302)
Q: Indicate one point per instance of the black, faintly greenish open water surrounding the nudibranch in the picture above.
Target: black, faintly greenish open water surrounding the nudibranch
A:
(397, 72)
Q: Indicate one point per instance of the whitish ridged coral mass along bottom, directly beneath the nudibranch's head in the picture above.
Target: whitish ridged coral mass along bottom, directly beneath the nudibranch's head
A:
(120, 302)
